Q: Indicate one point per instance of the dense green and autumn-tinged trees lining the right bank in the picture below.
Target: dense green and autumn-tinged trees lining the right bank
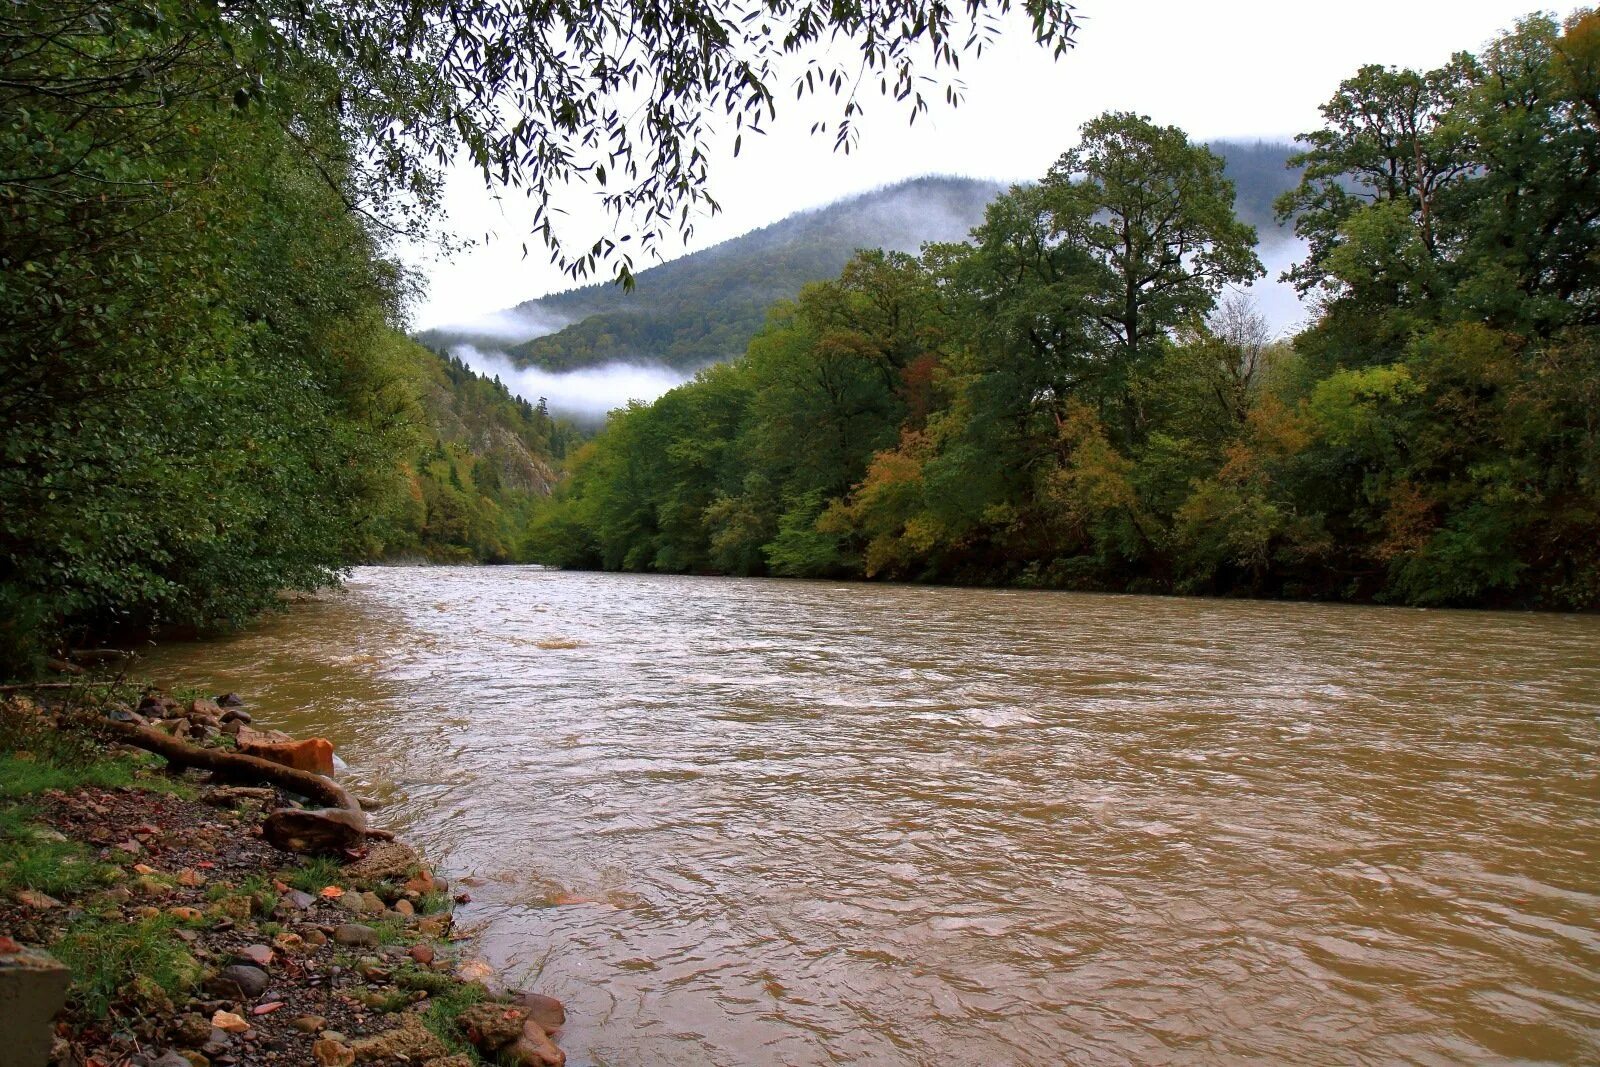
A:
(1078, 396)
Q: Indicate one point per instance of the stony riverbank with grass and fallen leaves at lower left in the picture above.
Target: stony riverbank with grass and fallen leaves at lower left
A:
(191, 940)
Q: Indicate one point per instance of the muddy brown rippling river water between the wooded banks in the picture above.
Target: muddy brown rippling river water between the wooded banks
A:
(798, 823)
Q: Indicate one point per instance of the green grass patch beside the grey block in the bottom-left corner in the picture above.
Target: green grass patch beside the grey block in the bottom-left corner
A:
(108, 956)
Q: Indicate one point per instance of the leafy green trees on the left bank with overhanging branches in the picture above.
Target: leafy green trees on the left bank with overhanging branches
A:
(206, 385)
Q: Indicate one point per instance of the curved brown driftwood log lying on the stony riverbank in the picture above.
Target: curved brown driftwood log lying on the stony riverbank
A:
(337, 828)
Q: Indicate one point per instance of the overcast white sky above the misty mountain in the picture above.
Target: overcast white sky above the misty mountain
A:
(1217, 68)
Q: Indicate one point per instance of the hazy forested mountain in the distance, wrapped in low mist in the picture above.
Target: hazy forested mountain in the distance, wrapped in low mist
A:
(706, 306)
